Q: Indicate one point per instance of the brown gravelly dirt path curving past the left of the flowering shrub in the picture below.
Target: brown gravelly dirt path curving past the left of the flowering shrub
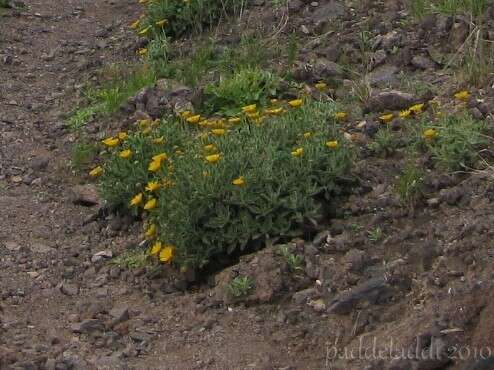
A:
(59, 310)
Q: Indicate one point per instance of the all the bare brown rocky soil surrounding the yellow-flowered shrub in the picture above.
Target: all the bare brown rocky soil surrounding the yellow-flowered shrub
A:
(424, 284)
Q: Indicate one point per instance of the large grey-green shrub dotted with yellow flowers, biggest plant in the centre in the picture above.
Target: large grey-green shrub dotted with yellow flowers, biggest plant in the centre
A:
(203, 214)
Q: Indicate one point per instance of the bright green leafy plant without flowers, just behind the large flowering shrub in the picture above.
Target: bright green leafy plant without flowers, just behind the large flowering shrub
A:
(246, 86)
